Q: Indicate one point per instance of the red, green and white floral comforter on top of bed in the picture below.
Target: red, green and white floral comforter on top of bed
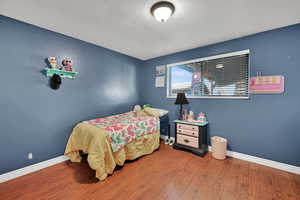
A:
(124, 128)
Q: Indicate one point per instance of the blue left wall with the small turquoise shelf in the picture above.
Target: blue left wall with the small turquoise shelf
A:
(35, 118)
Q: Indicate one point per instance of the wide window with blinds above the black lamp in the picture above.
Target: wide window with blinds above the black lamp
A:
(222, 76)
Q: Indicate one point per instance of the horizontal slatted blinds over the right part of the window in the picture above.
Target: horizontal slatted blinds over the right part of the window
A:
(225, 76)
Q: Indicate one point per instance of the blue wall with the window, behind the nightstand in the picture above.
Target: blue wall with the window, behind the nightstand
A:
(266, 126)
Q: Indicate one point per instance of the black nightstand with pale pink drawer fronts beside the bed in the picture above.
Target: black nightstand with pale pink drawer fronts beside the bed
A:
(191, 136)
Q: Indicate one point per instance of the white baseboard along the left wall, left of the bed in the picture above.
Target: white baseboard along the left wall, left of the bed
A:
(32, 168)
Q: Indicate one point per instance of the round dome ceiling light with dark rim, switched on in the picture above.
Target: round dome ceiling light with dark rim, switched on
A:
(162, 10)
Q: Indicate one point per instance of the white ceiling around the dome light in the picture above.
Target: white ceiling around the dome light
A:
(128, 27)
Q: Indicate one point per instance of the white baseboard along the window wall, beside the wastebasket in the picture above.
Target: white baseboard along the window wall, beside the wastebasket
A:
(262, 161)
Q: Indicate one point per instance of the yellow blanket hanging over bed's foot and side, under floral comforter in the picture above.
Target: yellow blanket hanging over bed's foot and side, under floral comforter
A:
(93, 141)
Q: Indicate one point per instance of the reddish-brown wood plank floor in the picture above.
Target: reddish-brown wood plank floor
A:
(165, 174)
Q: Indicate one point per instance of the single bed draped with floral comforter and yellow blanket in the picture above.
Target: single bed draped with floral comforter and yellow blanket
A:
(109, 141)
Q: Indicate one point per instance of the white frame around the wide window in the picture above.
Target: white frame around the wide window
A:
(236, 53)
